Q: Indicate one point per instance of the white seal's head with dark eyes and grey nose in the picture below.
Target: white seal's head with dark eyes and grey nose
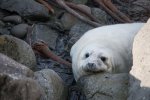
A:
(94, 58)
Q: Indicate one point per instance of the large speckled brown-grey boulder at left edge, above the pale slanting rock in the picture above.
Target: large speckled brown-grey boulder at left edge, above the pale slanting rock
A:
(17, 50)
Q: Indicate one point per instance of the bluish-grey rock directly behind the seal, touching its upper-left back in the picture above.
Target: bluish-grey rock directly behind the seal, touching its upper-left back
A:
(77, 31)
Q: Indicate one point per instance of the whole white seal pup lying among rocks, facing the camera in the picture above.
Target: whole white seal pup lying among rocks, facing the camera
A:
(107, 48)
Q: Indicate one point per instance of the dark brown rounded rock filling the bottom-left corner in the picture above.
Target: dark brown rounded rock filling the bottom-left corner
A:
(19, 89)
